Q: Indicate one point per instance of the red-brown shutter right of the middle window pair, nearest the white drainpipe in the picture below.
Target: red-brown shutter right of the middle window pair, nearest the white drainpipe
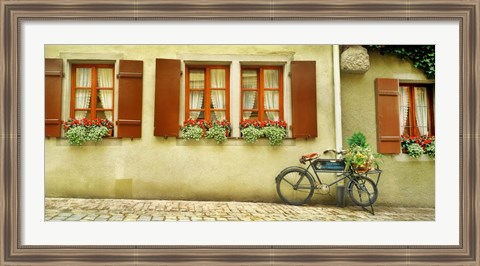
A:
(304, 99)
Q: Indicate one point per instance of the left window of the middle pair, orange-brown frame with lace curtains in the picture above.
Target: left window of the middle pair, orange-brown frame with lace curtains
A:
(207, 93)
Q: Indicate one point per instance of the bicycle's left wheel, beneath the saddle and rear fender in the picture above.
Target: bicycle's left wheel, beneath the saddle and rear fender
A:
(295, 186)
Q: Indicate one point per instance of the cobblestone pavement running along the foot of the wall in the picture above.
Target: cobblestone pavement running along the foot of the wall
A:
(72, 209)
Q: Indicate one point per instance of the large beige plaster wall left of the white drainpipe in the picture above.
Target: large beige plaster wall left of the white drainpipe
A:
(157, 168)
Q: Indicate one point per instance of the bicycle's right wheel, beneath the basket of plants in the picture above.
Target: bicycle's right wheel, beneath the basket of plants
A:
(363, 191)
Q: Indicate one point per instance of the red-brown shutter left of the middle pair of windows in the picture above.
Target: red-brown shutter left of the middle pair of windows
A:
(167, 98)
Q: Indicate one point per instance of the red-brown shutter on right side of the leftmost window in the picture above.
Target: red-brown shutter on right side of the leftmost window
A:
(130, 85)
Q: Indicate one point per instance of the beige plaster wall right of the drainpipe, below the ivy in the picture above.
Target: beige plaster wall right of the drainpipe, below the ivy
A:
(405, 181)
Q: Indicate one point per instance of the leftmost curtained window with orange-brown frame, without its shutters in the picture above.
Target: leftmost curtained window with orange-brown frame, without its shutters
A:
(92, 92)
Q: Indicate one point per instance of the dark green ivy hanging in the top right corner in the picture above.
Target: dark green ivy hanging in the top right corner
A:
(421, 56)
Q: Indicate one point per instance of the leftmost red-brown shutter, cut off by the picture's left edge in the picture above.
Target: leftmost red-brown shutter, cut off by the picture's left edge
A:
(53, 97)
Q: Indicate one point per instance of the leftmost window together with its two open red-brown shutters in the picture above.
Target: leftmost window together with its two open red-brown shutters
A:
(92, 95)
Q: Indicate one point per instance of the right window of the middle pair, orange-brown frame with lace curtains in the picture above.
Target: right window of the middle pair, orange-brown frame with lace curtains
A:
(262, 93)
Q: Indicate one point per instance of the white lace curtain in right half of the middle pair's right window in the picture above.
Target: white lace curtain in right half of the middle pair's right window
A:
(271, 97)
